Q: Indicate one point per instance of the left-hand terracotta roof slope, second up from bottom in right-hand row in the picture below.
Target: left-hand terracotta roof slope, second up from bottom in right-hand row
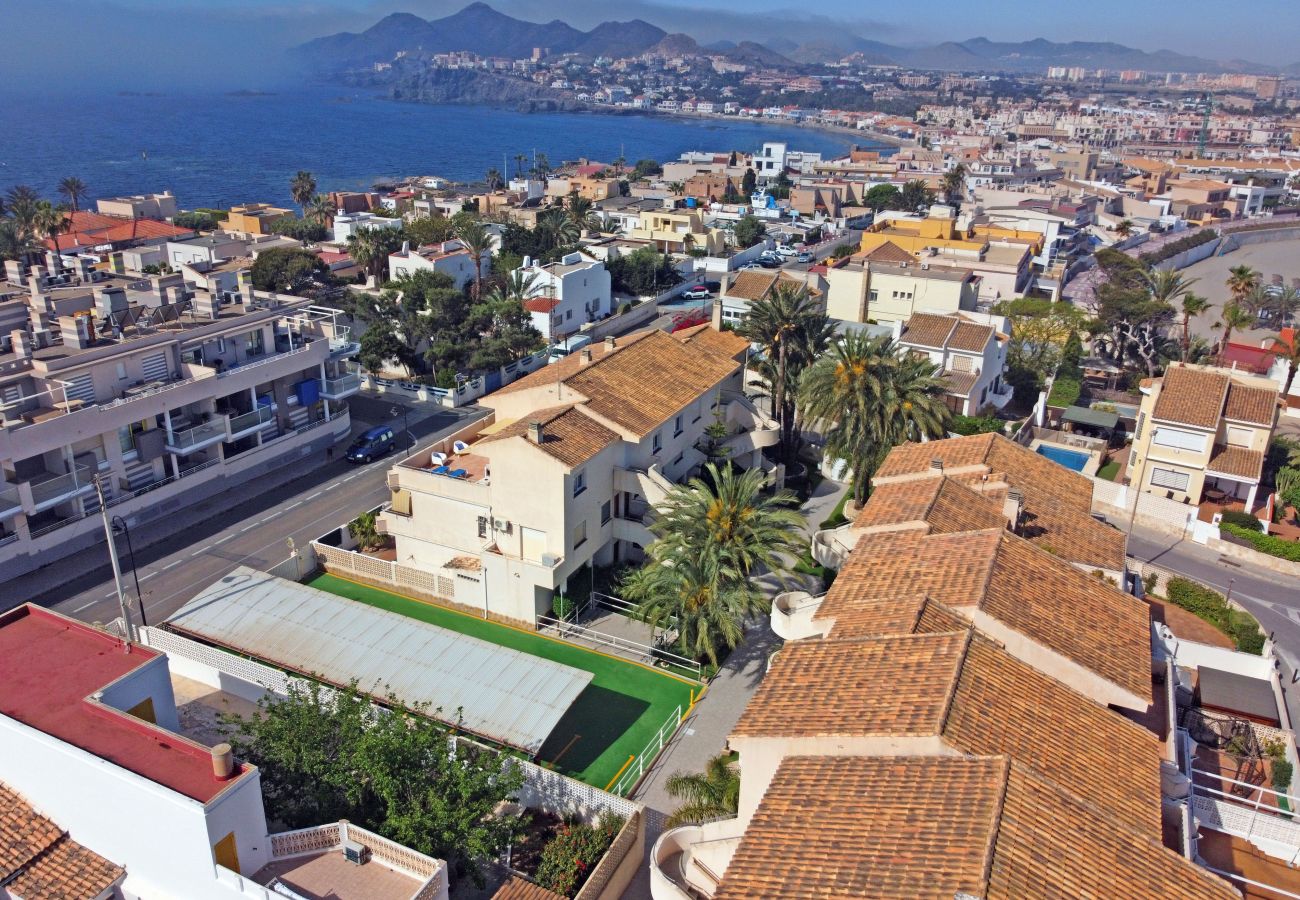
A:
(833, 689)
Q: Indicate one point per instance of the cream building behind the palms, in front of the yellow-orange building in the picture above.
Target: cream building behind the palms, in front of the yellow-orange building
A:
(891, 285)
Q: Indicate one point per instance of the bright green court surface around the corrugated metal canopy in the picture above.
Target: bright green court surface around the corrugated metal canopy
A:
(613, 720)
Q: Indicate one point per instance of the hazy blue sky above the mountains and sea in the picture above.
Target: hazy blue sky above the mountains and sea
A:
(140, 44)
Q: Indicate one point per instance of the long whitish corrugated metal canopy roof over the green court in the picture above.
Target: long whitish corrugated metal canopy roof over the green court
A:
(505, 695)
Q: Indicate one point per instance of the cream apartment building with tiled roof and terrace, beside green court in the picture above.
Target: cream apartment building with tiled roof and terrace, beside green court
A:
(569, 473)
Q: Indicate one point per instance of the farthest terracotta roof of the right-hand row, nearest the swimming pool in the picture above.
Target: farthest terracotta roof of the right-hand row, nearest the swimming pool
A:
(1058, 504)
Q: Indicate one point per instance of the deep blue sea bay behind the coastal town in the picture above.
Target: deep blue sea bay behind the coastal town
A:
(218, 150)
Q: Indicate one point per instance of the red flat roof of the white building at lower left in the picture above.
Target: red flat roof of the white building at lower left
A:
(51, 665)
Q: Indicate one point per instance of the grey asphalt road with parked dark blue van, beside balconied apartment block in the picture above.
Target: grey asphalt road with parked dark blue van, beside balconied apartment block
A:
(248, 526)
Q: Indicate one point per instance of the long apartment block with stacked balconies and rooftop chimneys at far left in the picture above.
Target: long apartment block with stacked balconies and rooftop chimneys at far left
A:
(170, 393)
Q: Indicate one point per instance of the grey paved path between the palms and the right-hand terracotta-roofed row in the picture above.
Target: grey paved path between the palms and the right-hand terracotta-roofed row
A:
(704, 735)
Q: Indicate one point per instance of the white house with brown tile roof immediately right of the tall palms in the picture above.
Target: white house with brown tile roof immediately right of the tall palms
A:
(970, 356)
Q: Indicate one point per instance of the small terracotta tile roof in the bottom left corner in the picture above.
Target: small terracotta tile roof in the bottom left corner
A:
(40, 860)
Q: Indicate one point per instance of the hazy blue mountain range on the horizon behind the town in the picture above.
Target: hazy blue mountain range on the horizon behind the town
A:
(483, 31)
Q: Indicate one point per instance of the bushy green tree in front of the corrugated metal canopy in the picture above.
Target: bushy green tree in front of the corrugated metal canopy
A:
(330, 755)
